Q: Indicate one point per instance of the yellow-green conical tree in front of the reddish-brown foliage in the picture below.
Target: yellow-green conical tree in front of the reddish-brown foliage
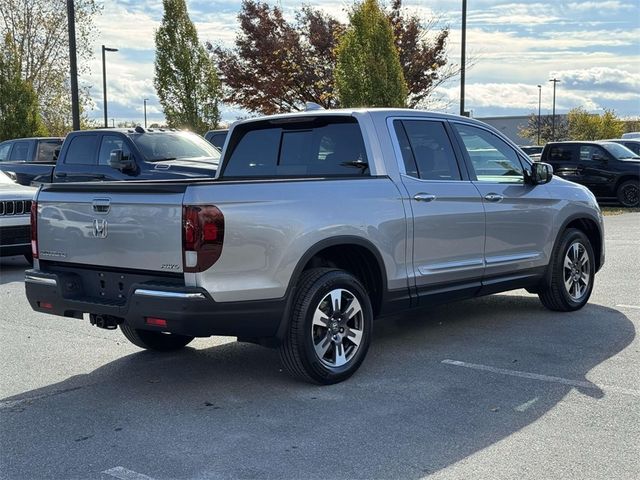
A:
(368, 71)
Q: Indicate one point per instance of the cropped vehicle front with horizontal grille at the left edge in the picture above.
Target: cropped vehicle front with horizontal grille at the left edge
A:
(15, 210)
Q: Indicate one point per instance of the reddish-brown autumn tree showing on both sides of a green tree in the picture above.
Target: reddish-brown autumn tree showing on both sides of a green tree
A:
(278, 65)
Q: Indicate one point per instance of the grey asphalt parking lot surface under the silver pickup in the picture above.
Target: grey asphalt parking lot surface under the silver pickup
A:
(491, 388)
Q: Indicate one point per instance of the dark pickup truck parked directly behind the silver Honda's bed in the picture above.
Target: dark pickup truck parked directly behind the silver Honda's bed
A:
(122, 154)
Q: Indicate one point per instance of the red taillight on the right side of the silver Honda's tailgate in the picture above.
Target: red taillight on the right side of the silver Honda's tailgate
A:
(202, 236)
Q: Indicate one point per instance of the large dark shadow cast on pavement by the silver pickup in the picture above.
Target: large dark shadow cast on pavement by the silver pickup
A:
(229, 411)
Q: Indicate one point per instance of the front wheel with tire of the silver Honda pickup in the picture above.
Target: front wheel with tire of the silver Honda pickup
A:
(572, 273)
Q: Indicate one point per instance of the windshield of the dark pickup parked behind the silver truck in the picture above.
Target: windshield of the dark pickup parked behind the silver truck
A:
(172, 145)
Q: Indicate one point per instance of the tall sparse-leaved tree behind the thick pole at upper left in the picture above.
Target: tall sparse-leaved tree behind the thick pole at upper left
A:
(39, 29)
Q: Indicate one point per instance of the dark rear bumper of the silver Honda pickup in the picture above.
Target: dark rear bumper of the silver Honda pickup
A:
(187, 310)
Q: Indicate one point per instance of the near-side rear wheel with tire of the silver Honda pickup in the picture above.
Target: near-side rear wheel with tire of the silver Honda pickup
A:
(330, 327)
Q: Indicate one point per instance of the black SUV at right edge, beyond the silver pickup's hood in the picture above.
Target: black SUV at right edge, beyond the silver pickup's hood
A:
(608, 169)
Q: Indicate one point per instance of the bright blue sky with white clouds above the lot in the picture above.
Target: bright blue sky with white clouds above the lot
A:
(592, 47)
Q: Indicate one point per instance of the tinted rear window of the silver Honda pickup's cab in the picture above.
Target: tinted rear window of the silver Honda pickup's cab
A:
(323, 147)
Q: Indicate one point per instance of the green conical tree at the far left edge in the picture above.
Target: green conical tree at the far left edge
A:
(19, 115)
